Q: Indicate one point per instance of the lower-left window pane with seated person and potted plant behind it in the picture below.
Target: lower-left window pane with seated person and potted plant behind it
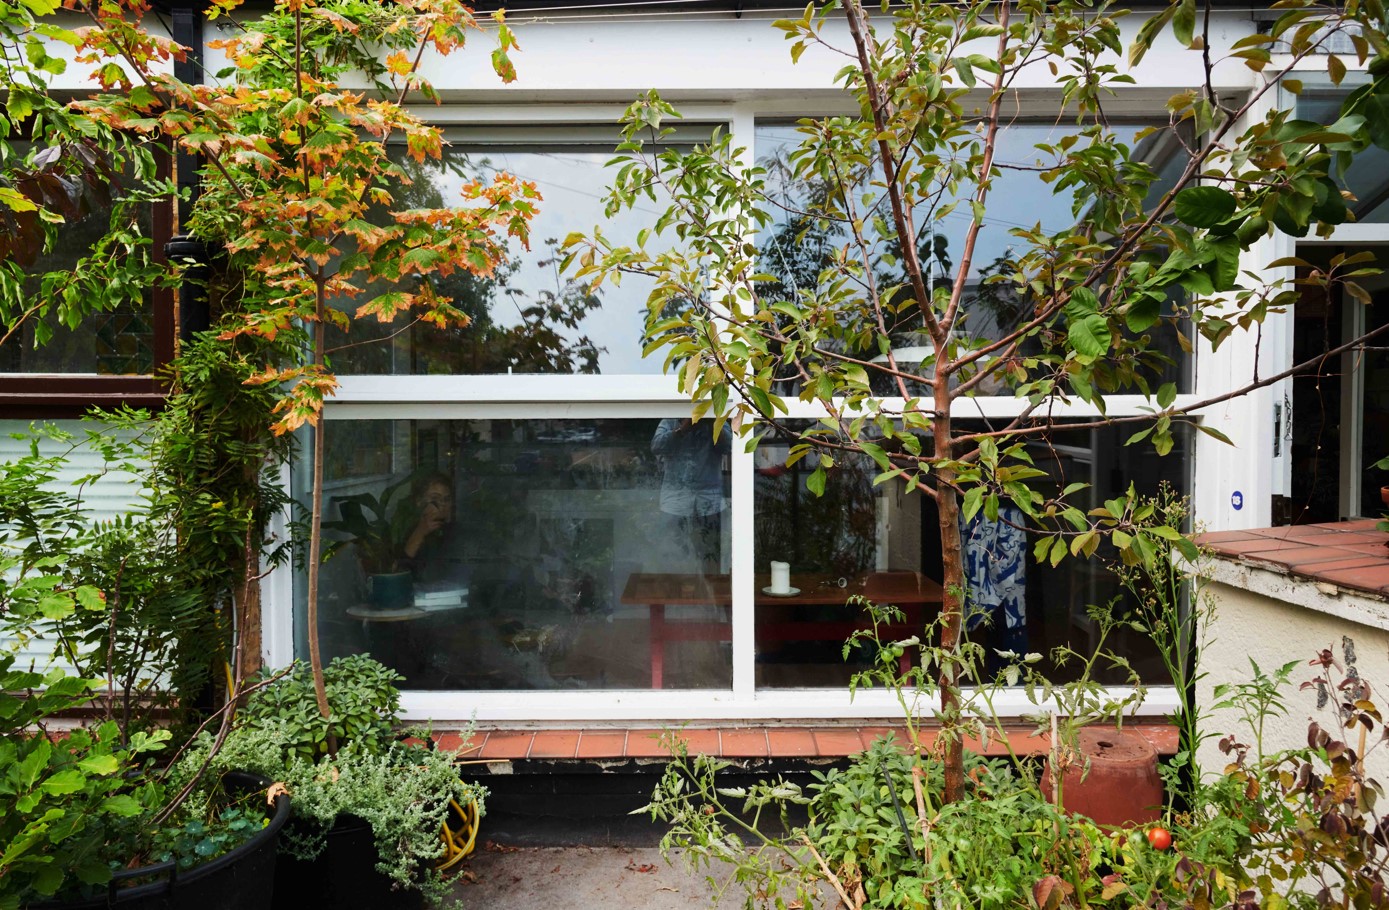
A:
(530, 555)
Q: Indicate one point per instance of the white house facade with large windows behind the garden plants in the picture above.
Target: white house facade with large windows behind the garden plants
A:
(576, 554)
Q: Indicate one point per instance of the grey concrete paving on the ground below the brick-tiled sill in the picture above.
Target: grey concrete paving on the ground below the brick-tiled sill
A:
(559, 879)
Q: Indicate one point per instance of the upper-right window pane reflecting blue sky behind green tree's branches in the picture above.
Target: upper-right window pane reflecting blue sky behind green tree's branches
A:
(795, 249)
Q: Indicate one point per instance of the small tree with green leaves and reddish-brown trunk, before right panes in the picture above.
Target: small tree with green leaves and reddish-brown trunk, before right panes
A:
(1074, 312)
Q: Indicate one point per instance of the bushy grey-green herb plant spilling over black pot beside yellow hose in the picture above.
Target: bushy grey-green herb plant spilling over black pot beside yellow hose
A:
(402, 791)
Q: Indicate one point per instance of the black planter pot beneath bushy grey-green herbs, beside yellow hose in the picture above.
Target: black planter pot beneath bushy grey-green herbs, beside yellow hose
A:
(342, 877)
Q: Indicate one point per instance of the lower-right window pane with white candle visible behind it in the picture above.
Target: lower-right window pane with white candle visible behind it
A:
(884, 544)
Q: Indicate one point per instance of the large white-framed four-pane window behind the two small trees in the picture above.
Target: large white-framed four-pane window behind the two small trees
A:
(531, 538)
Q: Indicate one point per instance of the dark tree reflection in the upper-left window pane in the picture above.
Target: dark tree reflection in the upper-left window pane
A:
(545, 337)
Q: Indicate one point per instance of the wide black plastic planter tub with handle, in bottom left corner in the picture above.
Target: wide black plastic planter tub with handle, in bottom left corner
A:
(240, 880)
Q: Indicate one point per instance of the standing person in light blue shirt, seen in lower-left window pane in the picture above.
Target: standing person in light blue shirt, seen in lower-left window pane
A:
(692, 486)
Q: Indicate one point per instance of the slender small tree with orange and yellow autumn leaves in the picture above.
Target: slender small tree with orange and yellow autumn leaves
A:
(299, 181)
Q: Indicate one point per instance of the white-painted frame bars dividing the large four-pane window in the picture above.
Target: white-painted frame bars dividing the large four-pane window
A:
(638, 397)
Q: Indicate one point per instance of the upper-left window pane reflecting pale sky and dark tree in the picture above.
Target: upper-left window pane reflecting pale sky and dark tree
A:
(527, 317)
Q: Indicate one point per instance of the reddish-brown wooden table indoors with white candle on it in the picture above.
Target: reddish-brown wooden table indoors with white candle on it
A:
(913, 593)
